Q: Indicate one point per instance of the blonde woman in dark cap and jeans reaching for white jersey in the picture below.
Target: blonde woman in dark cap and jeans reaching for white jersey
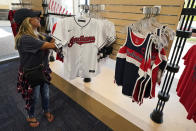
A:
(33, 51)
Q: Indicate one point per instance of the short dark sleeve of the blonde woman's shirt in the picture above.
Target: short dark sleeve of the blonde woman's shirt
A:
(31, 44)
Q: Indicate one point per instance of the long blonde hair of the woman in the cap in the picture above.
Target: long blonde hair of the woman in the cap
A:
(26, 29)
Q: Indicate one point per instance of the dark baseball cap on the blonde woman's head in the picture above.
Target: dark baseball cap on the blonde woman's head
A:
(23, 13)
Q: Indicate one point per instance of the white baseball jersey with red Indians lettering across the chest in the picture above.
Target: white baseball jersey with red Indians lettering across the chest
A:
(82, 42)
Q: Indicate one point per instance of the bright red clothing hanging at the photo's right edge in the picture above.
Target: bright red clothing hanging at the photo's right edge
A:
(186, 88)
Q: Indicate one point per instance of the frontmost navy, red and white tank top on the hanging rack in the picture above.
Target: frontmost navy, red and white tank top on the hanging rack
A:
(129, 60)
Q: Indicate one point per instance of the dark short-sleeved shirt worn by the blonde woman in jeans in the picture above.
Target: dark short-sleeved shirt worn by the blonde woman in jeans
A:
(30, 51)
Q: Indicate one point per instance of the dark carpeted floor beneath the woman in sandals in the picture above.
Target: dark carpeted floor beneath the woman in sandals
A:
(69, 115)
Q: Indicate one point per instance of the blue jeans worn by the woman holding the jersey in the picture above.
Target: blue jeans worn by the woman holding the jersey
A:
(44, 91)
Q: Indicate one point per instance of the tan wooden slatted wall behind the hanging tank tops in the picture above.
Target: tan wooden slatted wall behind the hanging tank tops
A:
(125, 12)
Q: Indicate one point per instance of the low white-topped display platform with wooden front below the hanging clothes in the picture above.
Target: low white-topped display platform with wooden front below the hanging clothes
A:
(106, 102)
